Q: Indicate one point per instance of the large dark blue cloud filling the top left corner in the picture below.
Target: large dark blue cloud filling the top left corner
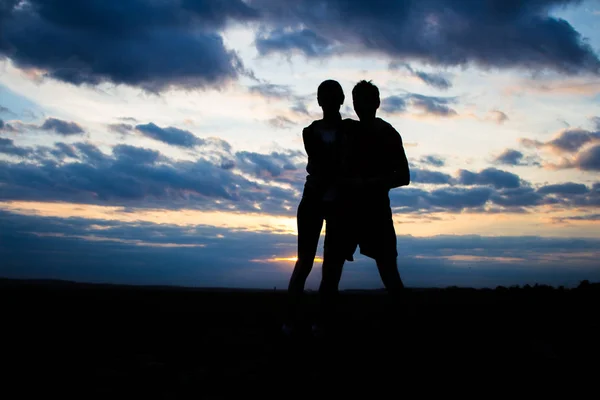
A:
(150, 44)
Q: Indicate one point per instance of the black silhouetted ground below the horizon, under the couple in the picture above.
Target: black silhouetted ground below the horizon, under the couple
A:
(118, 341)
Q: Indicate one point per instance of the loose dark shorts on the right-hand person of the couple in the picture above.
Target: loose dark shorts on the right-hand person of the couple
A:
(371, 228)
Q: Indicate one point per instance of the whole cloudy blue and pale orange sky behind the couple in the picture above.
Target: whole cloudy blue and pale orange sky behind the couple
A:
(159, 141)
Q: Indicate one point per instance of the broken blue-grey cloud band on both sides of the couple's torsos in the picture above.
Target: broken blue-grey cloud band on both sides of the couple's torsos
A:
(245, 182)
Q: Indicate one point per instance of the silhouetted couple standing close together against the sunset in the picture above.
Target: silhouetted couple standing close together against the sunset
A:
(352, 165)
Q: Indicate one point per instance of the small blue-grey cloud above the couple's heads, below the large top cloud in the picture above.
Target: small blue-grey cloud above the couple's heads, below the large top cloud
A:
(283, 40)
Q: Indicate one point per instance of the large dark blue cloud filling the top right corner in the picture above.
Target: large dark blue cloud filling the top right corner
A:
(495, 33)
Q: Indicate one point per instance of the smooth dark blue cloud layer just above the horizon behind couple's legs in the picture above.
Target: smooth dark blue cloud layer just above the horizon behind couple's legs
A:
(91, 250)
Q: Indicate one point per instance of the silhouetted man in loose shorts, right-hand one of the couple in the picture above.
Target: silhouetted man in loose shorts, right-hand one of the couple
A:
(374, 163)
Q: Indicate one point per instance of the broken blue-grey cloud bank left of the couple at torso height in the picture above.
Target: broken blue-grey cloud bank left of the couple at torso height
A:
(138, 177)
